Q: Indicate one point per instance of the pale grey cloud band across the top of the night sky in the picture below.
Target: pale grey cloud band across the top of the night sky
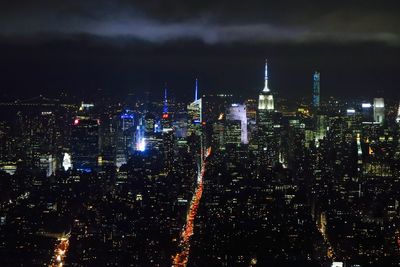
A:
(208, 21)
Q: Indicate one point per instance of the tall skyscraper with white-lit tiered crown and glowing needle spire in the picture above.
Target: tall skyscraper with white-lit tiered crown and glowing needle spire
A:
(267, 143)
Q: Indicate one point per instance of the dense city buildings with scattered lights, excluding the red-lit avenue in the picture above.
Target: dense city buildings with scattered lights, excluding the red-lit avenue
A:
(314, 184)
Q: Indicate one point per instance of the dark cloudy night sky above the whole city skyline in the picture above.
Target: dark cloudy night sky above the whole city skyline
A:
(123, 46)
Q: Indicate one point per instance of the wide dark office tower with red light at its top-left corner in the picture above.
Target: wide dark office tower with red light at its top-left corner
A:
(85, 143)
